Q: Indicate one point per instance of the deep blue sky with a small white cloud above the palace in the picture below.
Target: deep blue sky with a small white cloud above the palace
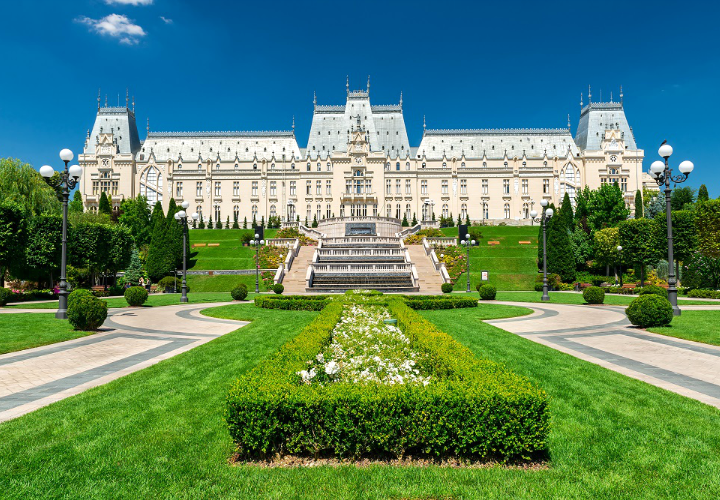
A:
(216, 65)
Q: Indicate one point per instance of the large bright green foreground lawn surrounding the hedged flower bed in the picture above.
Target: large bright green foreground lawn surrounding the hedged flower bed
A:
(159, 432)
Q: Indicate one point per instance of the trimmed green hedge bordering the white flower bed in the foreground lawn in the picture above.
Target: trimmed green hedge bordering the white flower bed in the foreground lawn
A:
(472, 408)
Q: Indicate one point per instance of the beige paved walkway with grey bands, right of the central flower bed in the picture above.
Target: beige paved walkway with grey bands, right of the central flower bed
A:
(604, 336)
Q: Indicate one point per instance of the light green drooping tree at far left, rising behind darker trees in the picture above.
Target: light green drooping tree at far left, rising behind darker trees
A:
(23, 185)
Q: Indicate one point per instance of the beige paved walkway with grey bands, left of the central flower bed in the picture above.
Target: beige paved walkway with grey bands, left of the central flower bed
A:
(130, 340)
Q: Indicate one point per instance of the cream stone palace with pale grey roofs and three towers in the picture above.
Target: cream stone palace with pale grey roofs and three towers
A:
(358, 161)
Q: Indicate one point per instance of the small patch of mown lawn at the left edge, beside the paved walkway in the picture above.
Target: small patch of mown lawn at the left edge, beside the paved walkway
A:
(23, 331)
